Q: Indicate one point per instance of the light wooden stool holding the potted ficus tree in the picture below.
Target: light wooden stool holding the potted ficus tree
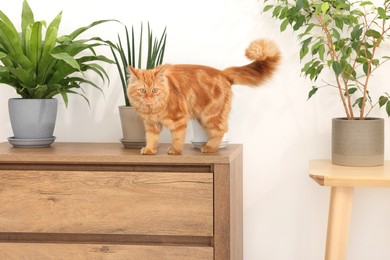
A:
(343, 180)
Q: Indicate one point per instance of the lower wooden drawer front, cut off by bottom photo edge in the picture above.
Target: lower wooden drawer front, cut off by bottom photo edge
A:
(36, 251)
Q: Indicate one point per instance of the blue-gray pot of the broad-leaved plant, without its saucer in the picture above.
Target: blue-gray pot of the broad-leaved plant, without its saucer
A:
(33, 118)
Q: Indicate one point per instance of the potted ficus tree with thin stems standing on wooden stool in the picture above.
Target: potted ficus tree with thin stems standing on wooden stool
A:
(343, 37)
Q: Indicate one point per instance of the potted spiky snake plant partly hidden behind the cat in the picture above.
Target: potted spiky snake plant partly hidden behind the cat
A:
(126, 53)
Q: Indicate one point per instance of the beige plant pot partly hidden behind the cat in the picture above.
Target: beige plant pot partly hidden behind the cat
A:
(133, 128)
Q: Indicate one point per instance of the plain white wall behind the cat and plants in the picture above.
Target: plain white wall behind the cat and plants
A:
(285, 212)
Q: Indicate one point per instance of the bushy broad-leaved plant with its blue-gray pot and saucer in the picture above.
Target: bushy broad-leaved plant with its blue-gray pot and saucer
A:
(40, 65)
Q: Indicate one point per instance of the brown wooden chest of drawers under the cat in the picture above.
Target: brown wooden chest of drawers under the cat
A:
(102, 201)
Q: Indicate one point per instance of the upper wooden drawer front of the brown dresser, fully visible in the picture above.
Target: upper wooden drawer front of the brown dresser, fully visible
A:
(139, 203)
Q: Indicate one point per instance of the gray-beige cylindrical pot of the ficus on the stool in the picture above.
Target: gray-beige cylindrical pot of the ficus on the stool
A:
(358, 142)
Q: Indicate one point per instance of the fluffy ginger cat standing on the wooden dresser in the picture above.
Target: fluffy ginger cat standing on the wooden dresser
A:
(170, 95)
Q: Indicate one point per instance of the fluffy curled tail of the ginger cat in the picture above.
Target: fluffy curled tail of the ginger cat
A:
(265, 56)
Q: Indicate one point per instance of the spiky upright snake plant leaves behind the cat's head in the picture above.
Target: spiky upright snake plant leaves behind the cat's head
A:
(125, 54)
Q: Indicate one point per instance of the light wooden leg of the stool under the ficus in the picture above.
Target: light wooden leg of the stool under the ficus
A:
(338, 223)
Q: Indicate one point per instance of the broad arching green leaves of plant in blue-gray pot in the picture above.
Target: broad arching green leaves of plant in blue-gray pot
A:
(42, 65)
